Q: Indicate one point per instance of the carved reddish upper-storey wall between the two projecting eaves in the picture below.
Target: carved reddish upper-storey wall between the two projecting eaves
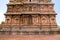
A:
(26, 8)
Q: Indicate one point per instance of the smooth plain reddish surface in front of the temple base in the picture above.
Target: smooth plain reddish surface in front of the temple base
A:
(41, 37)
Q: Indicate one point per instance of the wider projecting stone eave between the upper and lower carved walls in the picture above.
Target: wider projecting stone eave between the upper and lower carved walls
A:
(19, 13)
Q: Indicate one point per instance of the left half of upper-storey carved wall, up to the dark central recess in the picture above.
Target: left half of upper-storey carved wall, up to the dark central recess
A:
(16, 8)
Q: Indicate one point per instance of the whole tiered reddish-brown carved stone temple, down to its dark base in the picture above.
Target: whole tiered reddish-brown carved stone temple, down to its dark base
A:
(29, 17)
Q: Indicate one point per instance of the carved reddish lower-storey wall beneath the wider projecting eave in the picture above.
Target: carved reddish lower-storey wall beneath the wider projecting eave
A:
(45, 20)
